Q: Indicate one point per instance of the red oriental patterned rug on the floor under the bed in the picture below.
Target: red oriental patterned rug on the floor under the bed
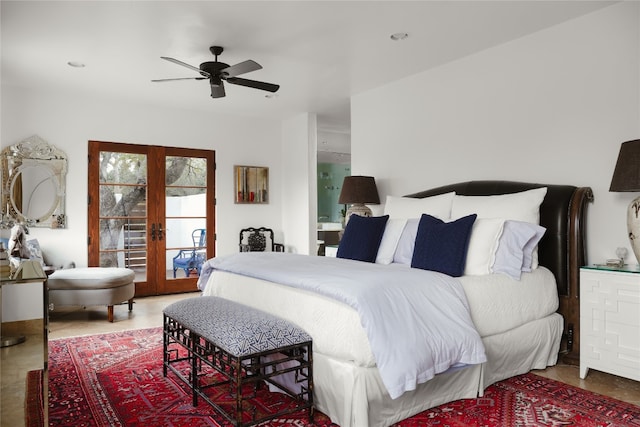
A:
(116, 380)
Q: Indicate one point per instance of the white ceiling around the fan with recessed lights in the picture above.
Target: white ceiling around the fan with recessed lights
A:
(320, 52)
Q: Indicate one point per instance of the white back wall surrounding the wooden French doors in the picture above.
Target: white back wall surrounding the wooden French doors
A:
(68, 121)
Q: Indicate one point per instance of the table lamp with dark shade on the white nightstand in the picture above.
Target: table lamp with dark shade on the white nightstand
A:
(626, 177)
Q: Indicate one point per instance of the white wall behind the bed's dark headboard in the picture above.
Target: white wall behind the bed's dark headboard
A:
(552, 107)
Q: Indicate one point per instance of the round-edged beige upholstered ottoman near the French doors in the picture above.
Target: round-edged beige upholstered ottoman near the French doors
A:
(92, 286)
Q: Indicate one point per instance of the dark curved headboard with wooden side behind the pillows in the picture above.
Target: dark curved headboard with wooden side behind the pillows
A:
(562, 249)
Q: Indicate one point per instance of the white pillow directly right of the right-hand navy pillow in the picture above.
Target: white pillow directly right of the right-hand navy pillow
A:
(481, 254)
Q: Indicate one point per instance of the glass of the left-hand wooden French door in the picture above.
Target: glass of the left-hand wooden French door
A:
(123, 211)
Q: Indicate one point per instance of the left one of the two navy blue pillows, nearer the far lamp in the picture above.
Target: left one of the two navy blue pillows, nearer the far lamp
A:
(362, 237)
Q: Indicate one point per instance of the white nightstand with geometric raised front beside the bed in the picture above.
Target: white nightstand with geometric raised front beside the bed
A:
(610, 320)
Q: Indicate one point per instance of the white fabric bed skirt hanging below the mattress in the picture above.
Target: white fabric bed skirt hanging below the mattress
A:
(355, 396)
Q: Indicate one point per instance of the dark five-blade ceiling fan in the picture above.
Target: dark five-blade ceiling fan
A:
(216, 72)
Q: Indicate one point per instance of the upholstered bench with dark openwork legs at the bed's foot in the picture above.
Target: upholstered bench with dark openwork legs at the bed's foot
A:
(242, 346)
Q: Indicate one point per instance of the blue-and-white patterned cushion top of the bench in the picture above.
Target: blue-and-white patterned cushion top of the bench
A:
(238, 329)
